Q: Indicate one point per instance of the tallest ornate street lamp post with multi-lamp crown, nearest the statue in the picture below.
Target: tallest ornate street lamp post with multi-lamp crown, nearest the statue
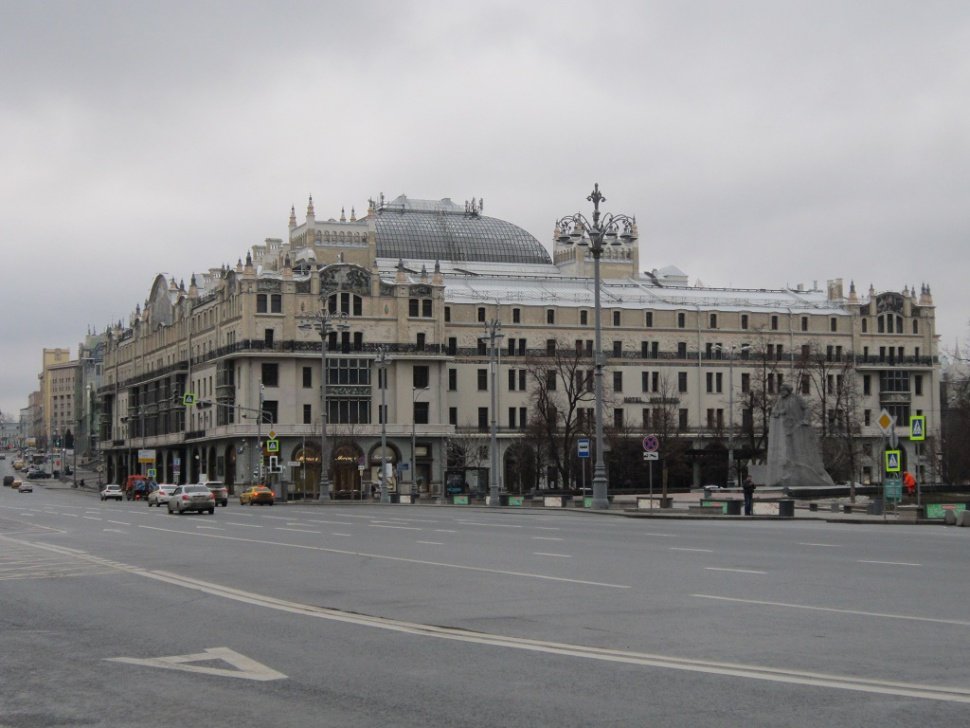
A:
(577, 230)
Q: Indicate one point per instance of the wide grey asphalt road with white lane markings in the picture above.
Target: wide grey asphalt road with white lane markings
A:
(117, 614)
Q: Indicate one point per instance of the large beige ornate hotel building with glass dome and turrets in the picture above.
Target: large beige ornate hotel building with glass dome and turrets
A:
(422, 282)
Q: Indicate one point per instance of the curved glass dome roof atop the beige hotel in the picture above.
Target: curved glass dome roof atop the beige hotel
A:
(442, 230)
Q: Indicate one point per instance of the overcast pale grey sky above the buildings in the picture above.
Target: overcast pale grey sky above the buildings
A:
(759, 144)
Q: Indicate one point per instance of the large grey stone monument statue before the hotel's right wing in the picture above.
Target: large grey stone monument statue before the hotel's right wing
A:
(794, 457)
